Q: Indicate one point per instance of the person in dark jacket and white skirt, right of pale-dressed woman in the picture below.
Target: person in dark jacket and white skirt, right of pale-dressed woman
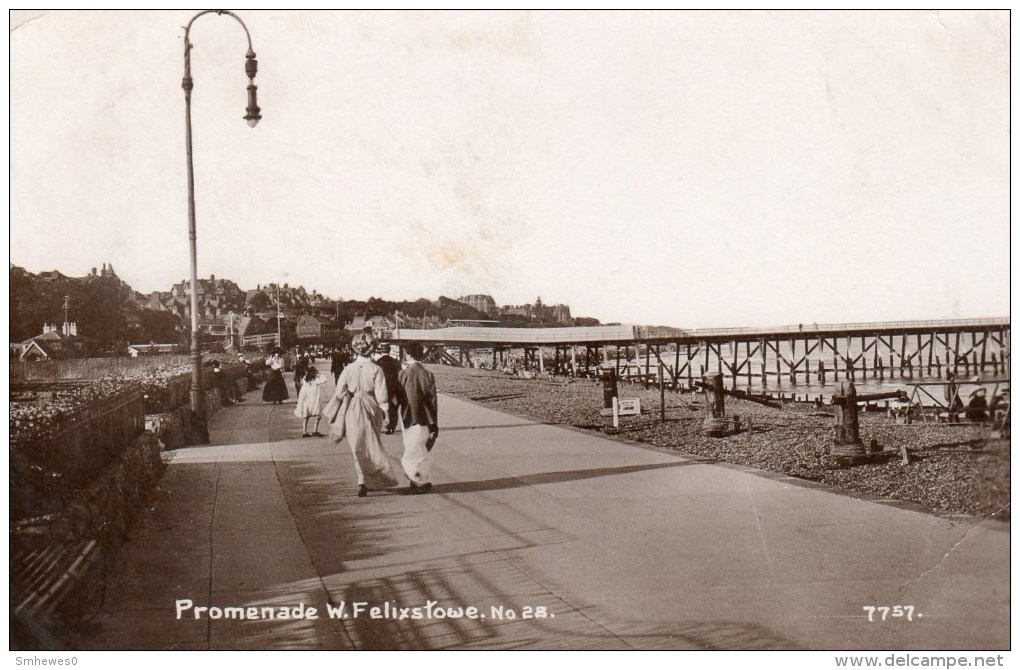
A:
(420, 420)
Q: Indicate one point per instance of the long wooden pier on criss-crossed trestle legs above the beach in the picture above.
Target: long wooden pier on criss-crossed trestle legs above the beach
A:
(804, 353)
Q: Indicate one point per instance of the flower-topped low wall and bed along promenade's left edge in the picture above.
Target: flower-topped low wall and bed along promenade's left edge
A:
(84, 456)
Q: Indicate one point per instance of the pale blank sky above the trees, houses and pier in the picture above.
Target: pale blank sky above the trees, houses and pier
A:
(695, 170)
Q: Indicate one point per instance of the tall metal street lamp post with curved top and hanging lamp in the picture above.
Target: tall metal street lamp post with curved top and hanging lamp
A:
(253, 117)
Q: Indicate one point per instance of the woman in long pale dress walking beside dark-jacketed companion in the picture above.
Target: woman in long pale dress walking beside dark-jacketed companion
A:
(362, 390)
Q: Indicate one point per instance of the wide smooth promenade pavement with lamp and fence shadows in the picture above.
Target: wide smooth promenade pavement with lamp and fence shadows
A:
(620, 547)
